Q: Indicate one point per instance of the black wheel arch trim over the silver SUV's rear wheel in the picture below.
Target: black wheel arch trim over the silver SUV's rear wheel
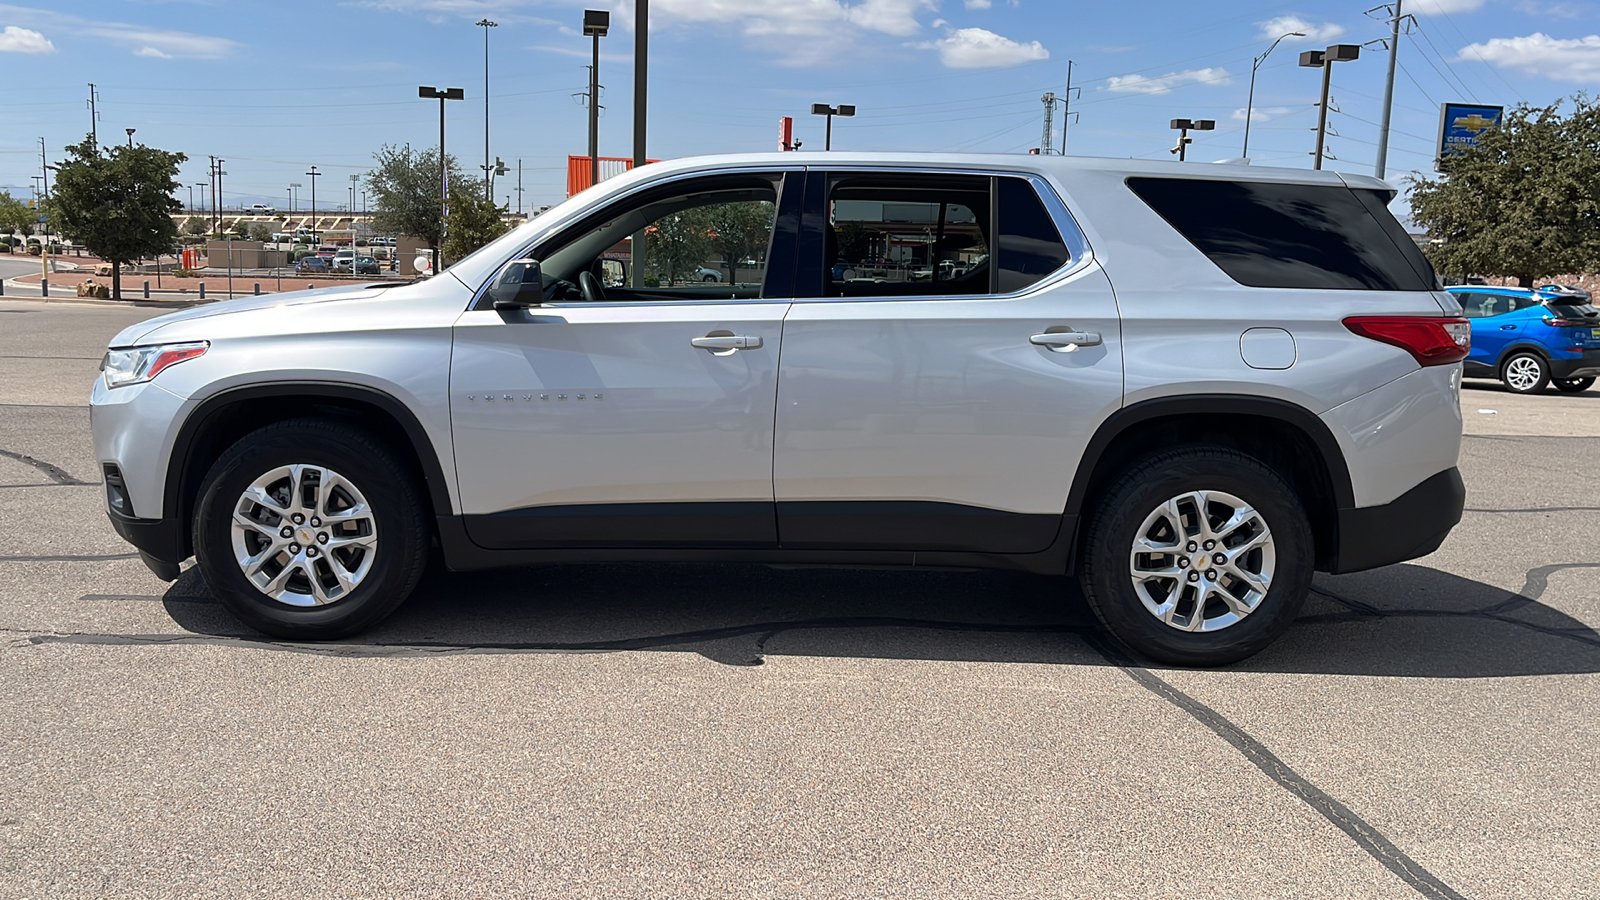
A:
(1286, 436)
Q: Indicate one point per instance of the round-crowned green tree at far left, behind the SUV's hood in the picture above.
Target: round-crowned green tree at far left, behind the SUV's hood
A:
(119, 203)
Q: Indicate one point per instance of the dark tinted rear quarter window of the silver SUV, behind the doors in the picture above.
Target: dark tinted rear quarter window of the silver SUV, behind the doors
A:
(1290, 236)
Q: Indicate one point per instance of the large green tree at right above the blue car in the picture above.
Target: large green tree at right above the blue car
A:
(1524, 204)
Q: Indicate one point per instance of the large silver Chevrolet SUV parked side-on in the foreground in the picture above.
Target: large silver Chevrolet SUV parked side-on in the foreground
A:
(1190, 387)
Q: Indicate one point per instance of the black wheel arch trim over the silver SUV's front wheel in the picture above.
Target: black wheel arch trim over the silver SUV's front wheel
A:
(226, 417)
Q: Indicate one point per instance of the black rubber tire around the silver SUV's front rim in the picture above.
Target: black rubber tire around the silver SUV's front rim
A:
(391, 491)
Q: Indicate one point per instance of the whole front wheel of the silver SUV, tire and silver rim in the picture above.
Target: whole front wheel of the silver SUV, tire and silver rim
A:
(310, 529)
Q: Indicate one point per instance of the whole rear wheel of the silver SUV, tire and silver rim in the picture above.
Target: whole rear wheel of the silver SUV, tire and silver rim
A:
(1198, 556)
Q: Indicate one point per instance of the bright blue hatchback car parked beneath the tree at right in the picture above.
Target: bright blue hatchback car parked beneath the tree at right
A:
(1532, 339)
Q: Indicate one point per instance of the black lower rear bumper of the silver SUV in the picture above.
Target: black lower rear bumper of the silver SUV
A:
(1410, 526)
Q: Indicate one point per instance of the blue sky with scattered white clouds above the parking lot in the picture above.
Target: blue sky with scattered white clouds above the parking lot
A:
(276, 89)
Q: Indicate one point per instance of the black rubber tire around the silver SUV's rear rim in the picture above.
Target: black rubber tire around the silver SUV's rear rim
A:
(1116, 520)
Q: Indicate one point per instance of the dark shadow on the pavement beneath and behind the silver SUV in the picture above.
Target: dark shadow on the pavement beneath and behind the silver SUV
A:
(1404, 621)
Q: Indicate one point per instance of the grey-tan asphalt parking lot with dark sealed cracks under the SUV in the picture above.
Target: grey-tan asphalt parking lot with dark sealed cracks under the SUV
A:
(713, 731)
